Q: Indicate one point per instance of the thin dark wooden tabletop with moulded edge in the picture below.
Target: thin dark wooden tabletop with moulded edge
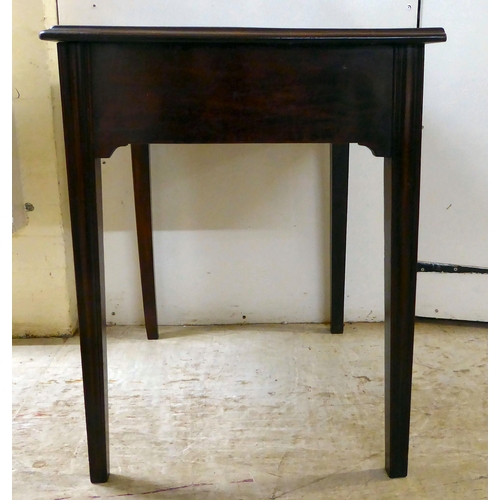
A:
(116, 34)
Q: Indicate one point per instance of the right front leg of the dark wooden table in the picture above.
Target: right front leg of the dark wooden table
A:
(401, 193)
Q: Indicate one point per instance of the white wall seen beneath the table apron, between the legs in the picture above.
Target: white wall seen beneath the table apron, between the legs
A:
(242, 230)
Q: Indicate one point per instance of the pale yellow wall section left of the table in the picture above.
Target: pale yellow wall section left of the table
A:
(43, 296)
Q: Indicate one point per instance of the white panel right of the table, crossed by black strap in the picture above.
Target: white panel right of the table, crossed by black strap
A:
(454, 207)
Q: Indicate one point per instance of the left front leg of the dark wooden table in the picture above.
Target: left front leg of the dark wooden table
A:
(84, 184)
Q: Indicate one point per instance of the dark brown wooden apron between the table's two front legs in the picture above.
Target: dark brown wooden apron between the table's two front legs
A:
(222, 93)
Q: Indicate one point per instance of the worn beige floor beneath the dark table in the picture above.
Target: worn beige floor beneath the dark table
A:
(252, 412)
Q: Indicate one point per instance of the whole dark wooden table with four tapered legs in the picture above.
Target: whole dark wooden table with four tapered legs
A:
(141, 86)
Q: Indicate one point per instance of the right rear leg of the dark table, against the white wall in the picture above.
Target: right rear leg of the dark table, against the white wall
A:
(339, 189)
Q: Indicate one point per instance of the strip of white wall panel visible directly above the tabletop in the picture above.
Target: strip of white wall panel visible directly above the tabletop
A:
(256, 13)
